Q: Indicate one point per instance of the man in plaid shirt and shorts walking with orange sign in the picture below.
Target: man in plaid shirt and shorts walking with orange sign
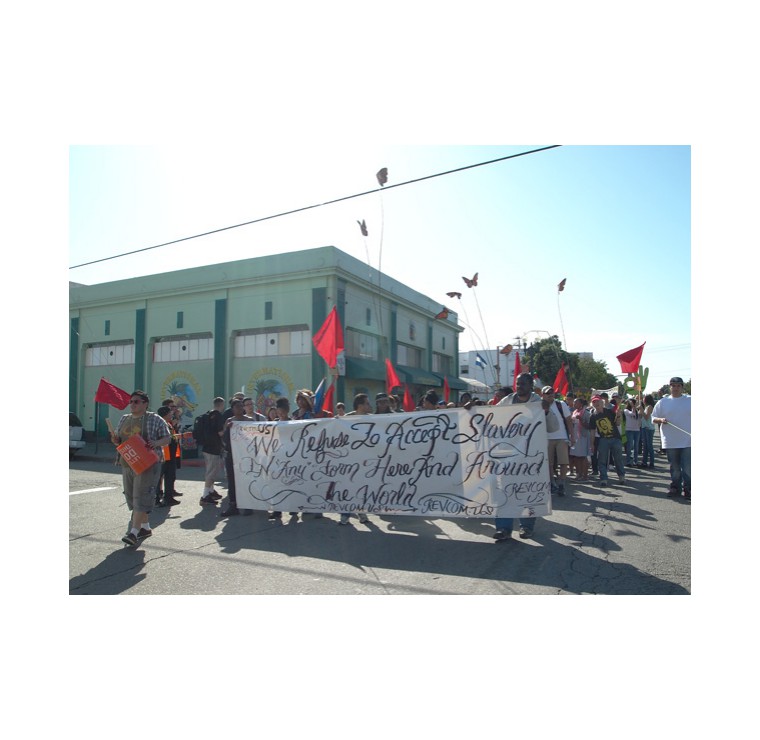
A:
(140, 476)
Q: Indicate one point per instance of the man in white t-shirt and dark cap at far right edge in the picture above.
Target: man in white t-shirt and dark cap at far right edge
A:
(673, 414)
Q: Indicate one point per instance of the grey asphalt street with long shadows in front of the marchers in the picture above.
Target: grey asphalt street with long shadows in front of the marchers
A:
(625, 539)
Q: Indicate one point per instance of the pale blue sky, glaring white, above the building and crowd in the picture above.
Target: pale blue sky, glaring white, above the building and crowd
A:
(609, 219)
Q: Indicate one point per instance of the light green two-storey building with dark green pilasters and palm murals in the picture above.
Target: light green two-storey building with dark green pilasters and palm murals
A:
(248, 325)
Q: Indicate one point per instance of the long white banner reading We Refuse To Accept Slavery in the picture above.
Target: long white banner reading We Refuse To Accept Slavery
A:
(488, 461)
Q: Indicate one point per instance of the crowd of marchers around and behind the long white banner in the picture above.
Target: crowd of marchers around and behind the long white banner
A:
(586, 438)
